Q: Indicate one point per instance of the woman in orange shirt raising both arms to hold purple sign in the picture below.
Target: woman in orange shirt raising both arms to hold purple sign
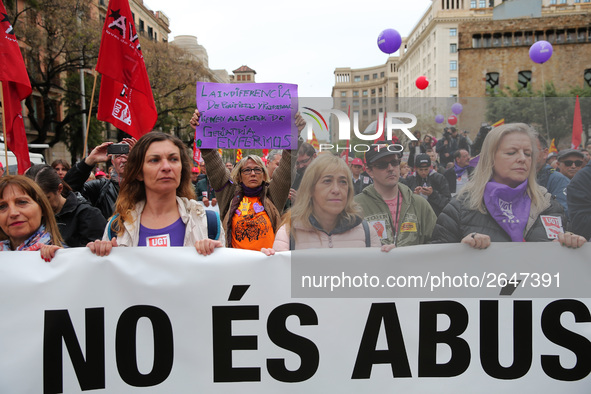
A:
(249, 200)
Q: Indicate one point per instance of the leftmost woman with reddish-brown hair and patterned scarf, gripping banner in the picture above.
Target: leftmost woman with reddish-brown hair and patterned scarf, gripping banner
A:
(27, 221)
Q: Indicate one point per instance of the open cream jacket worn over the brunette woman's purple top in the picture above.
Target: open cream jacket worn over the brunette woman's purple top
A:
(192, 214)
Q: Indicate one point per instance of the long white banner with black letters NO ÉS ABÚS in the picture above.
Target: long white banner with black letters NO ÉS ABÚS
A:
(166, 320)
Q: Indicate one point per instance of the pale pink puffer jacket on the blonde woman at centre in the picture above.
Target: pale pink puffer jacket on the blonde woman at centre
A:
(345, 235)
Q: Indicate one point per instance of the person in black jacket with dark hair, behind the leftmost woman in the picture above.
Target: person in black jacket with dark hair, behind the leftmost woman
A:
(78, 221)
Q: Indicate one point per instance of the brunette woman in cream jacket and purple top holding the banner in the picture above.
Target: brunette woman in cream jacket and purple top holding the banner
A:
(156, 204)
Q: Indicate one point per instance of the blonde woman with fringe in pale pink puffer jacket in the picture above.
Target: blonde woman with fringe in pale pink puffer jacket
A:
(324, 214)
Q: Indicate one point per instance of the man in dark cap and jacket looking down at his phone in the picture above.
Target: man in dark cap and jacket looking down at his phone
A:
(429, 184)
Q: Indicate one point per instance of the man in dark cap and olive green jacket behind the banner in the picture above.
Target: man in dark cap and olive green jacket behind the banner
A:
(400, 217)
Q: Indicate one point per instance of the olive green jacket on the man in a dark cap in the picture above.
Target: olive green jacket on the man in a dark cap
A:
(417, 218)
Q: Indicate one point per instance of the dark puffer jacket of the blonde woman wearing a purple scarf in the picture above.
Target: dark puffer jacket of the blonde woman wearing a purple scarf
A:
(457, 221)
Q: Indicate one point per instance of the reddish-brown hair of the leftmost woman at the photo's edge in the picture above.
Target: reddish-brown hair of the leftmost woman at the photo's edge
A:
(34, 191)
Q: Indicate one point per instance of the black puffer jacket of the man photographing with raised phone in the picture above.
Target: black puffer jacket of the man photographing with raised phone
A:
(100, 193)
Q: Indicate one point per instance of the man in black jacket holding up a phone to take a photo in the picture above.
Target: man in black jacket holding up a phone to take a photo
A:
(101, 193)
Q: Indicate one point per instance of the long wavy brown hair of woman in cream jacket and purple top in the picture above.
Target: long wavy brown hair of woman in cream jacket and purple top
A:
(133, 190)
